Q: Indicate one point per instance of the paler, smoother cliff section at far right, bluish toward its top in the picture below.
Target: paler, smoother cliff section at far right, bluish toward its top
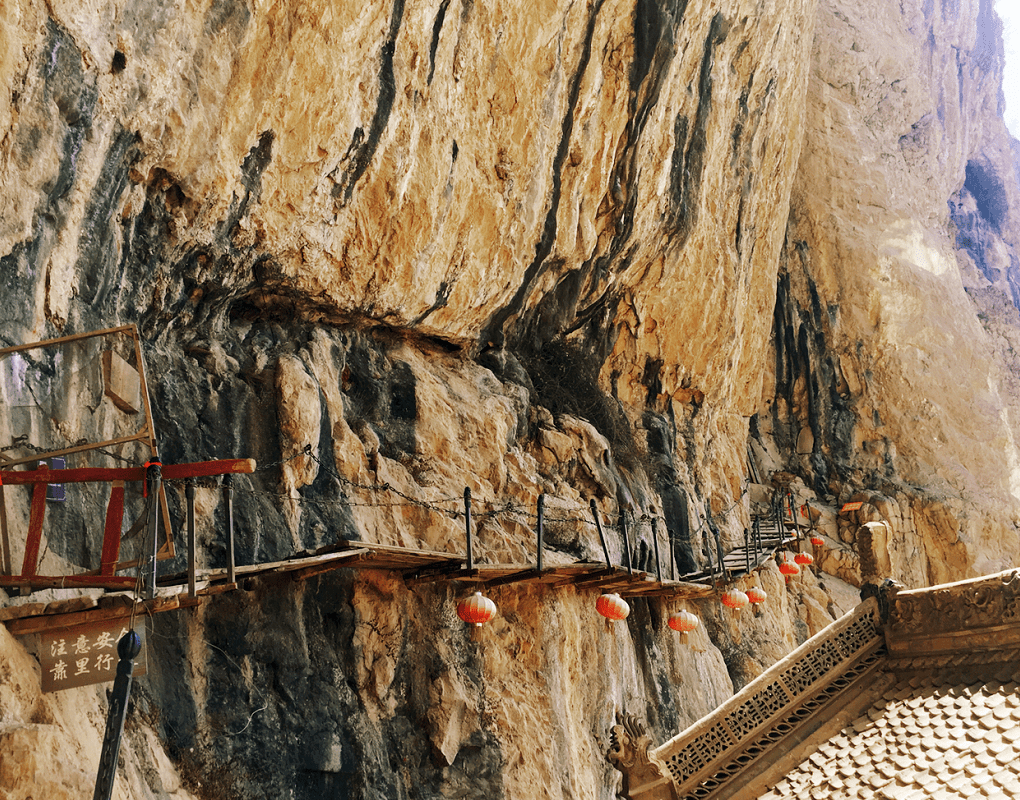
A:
(896, 315)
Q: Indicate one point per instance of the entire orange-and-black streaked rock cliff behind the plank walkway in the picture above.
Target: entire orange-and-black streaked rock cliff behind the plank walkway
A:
(597, 251)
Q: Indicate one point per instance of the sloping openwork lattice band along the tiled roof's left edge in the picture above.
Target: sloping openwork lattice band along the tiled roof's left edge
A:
(703, 759)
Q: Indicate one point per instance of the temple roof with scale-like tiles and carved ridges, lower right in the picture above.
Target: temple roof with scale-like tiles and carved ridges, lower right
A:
(911, 695)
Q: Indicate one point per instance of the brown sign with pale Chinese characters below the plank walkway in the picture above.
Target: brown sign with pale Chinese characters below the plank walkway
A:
(85, 655)
